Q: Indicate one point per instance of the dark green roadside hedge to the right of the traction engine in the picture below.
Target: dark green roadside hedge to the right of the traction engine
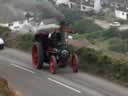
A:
(100, 64)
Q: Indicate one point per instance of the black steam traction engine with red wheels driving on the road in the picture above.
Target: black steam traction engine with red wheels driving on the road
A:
(50, 46)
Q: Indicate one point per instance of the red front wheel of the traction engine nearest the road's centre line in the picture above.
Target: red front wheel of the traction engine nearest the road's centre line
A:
(52, 65)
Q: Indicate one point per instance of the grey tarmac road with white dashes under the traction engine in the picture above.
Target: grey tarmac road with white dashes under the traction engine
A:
(16, 67)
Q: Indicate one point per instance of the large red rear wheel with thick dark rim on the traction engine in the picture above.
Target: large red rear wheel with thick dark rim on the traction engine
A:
(37, 55)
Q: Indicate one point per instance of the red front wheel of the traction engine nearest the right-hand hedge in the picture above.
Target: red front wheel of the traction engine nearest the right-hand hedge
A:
(74, 63)
